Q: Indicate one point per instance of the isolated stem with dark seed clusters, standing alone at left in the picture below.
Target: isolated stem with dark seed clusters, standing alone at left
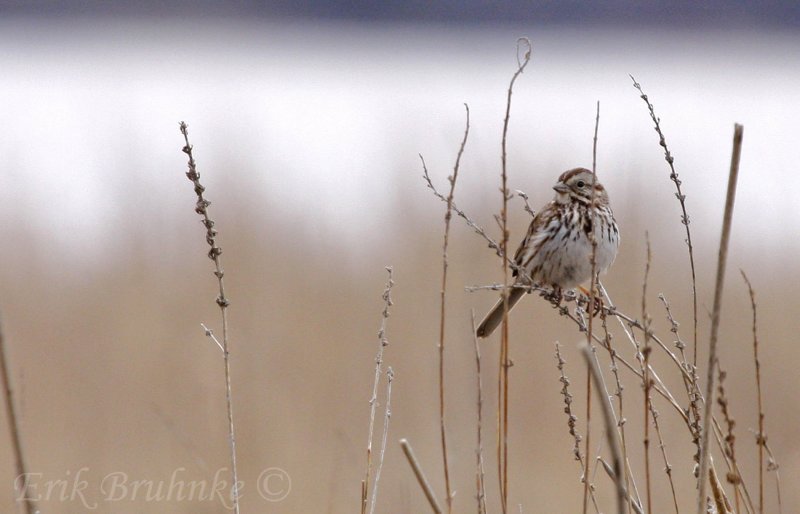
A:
(201, 208)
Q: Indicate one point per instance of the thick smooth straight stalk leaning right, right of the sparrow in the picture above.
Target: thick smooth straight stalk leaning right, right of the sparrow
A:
(712, 350)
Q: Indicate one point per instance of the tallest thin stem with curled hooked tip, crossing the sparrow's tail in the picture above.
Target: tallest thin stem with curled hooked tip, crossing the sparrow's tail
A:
(505, 364)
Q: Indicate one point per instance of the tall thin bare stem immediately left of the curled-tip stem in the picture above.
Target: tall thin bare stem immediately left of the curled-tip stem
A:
(447, 216)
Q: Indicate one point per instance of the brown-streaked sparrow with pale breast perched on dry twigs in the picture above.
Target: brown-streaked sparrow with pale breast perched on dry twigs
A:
(557, 250)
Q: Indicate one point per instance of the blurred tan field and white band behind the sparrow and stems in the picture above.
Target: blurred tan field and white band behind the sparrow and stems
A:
(306, 134)
